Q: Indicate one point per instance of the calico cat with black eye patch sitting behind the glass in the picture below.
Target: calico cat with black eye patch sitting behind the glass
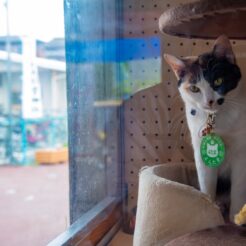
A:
(211, 84)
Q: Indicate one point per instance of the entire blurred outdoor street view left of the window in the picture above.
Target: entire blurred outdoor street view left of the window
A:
(33, 122)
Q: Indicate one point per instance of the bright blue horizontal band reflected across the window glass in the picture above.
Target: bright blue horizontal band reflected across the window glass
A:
(115, 50)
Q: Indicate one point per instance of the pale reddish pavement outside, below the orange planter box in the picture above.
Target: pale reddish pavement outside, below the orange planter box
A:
(33, 204)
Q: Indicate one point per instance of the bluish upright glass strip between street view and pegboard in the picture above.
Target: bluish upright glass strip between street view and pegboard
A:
(94, 98)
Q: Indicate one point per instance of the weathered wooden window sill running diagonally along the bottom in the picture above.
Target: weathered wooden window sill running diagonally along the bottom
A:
(91, 227)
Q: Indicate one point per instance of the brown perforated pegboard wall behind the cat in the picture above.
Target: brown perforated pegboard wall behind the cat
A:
(155, 125)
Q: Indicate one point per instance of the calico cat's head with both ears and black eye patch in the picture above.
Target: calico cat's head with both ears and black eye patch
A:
(205, 80)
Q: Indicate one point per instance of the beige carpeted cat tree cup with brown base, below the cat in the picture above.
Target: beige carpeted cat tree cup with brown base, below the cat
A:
(172, 211)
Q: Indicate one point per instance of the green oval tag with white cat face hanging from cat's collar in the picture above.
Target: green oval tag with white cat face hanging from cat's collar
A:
(212, 150)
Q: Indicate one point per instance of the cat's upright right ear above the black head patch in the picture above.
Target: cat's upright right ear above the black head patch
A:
(222, 48)
